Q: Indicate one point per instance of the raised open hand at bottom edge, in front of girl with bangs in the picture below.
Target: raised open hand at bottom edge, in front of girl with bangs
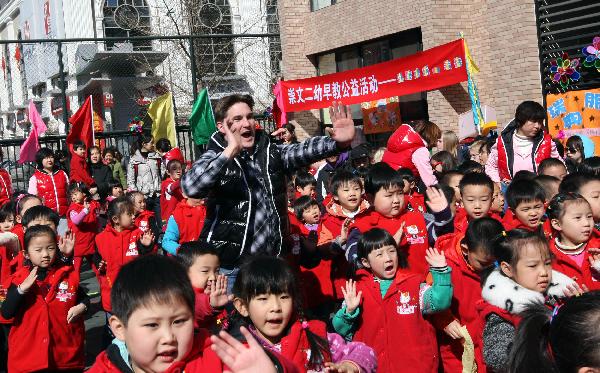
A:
(239, 358)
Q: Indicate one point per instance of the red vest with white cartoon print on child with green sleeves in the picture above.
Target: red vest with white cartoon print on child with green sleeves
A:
(394, 326)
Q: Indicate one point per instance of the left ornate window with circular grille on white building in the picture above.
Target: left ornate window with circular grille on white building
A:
(126, 18)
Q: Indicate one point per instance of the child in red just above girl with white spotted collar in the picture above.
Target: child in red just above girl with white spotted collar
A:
(526, 207)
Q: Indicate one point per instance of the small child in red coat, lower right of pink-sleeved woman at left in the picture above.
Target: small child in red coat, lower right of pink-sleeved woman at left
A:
(82, 219)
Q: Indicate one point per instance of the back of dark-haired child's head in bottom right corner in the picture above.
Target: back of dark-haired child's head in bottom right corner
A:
(563, 340)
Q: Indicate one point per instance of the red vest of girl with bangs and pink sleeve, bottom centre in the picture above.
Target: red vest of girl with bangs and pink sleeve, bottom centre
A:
(294, 345)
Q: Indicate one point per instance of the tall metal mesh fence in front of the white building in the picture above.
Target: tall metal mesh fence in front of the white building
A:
(124, 74)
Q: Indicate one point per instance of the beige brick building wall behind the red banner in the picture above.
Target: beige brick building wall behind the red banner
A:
(501, 35)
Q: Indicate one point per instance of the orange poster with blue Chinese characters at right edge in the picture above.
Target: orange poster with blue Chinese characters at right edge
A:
(575, 113)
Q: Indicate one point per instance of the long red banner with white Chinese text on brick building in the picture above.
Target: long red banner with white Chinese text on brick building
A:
(434, 68)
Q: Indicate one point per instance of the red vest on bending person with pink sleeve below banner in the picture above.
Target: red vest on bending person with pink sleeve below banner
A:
(400, 148)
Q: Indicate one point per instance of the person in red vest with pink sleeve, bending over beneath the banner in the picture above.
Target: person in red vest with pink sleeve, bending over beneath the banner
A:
(409, 148)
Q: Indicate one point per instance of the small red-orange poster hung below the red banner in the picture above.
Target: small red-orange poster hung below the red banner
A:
(381, 116)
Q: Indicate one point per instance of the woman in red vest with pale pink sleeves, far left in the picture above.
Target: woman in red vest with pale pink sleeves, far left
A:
(49, 183)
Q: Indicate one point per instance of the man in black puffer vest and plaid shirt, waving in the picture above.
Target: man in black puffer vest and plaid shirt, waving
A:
(242, 176)
